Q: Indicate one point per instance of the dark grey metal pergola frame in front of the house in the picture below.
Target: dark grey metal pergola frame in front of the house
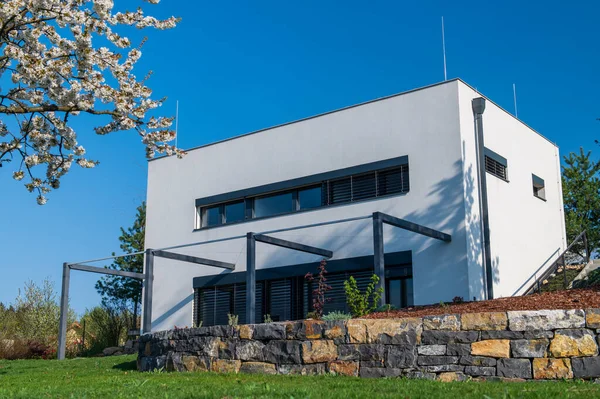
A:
(379, 219)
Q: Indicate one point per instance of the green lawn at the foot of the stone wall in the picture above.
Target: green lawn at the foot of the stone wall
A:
(116, 377)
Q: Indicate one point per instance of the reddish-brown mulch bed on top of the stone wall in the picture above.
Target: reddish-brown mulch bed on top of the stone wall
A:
(569, 299)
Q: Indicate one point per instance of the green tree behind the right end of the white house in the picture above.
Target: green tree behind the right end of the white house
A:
(581, 193)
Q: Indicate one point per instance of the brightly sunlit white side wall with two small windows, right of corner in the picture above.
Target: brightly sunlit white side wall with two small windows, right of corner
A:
(526, 233)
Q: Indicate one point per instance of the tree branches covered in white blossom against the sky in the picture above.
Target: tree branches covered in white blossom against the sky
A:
(55, 72)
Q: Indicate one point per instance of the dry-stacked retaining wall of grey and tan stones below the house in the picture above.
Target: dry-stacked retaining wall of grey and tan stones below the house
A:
(516, 345)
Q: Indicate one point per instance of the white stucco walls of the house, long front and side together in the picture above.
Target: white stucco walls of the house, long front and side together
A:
(434, 128)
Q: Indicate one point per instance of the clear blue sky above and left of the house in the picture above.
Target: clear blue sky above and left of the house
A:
(240, 66)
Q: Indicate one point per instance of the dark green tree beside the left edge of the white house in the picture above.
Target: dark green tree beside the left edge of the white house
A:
(121, 294)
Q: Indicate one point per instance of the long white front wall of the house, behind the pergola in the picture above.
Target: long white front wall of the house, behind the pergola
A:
(423, 124)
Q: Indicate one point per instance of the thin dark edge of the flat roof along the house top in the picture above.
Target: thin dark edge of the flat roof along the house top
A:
(358, 105)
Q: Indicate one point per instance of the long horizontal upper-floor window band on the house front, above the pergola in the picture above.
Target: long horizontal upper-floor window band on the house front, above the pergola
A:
(341, 190)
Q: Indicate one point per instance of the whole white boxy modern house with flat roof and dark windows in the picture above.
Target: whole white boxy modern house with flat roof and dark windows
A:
(413, 156)
